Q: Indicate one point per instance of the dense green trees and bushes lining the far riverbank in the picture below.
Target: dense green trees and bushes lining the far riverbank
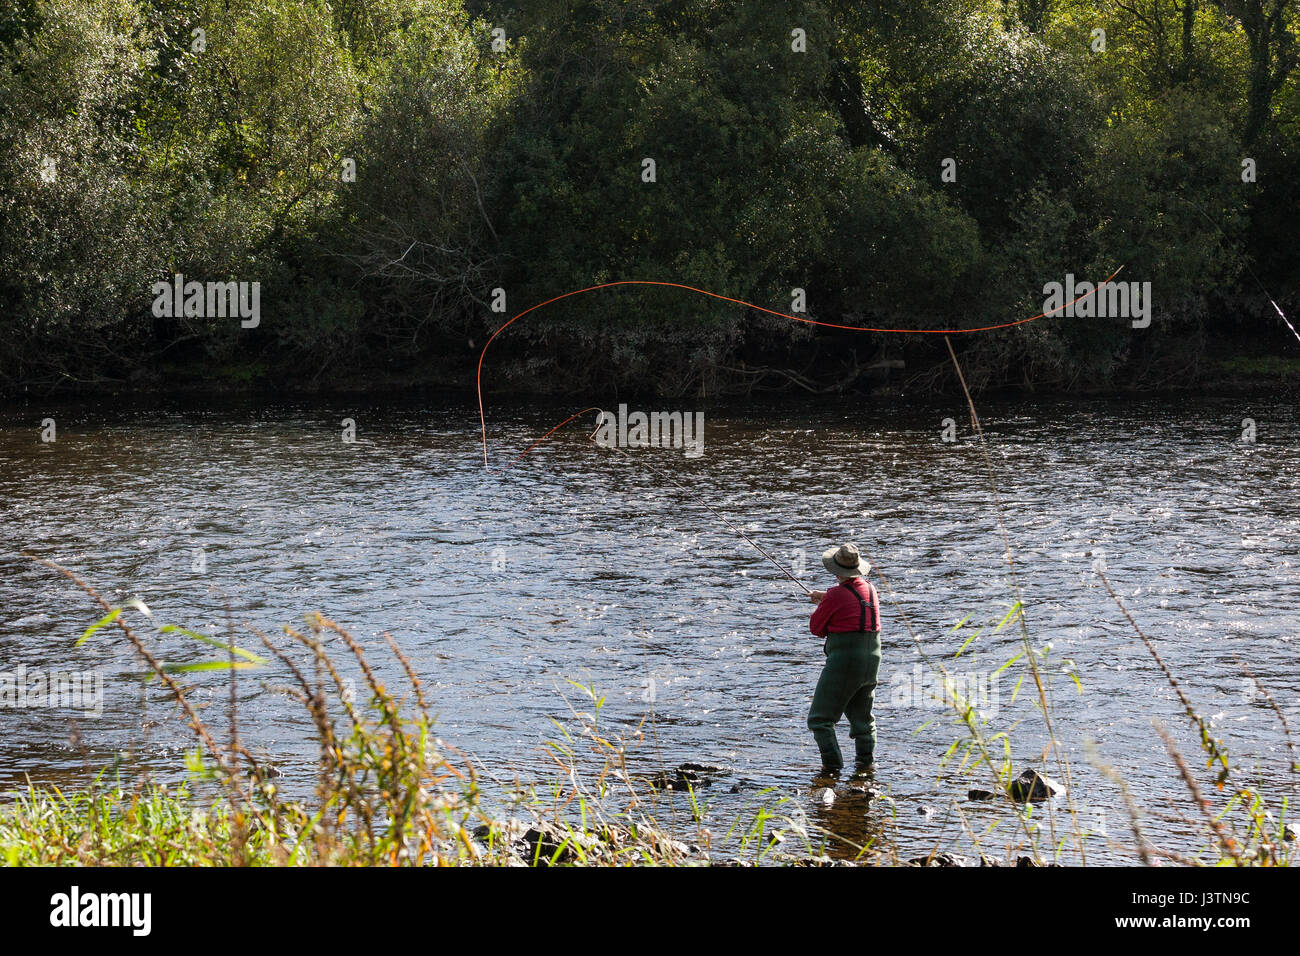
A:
(504, 146)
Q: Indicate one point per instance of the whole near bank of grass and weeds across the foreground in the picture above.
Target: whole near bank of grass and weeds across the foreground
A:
(389, 793)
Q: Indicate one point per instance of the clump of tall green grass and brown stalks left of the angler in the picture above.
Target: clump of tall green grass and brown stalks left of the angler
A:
(388, 791)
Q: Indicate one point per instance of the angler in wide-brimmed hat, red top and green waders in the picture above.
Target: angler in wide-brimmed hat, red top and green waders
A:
(848, 620)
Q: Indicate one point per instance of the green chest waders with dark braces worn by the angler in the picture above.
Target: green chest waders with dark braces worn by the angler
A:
(848, 689)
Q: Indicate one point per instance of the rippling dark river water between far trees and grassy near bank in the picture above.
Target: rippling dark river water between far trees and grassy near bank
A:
(582, 565)
